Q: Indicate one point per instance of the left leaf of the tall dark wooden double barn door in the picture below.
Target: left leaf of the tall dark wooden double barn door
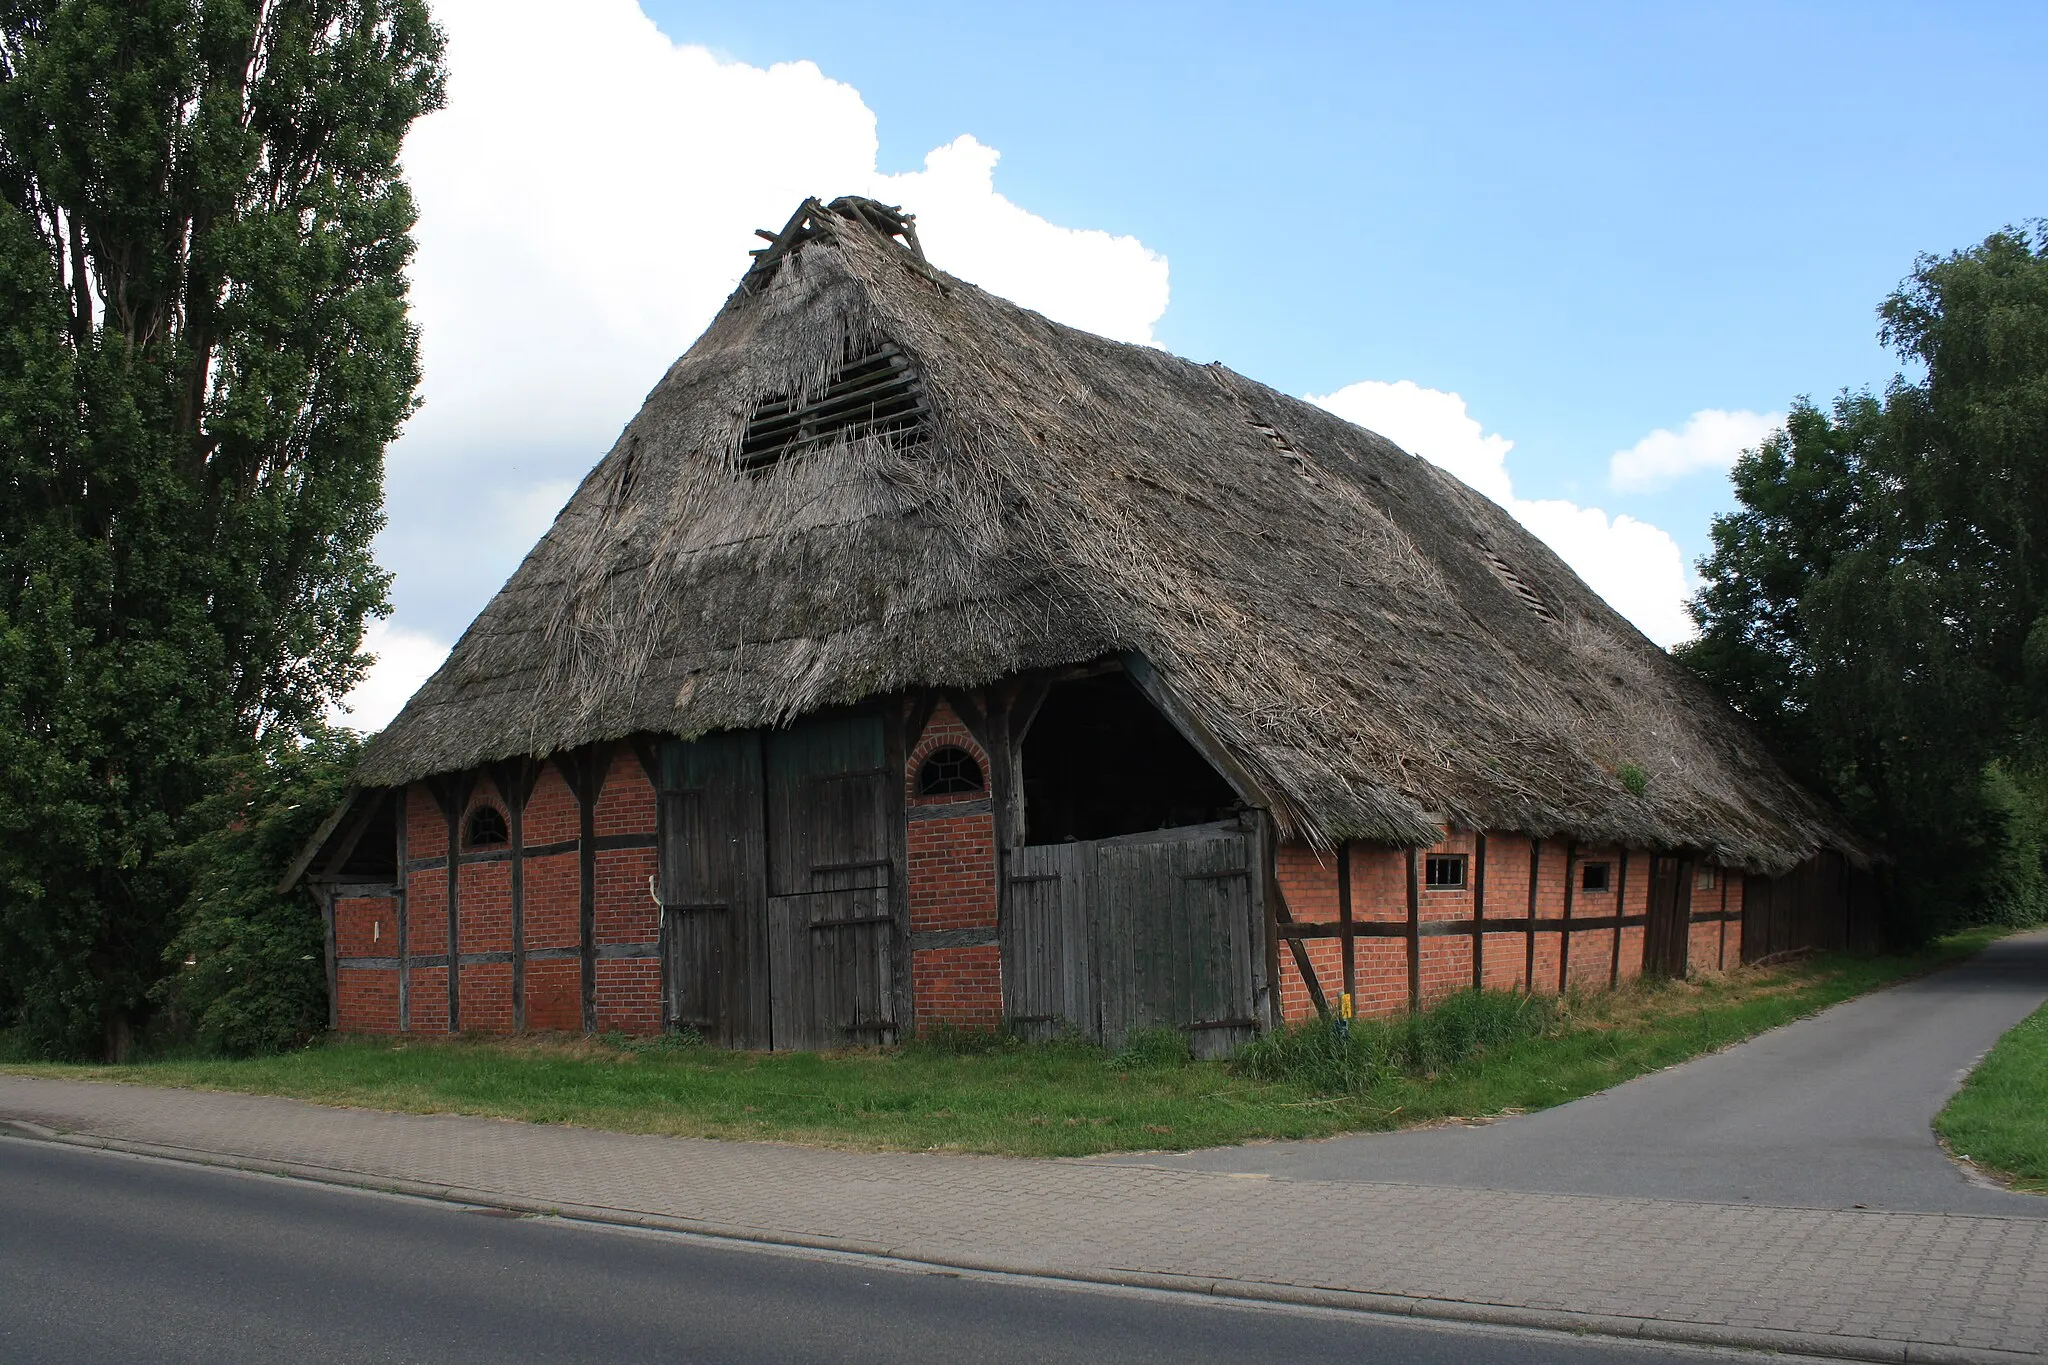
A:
(714, 889)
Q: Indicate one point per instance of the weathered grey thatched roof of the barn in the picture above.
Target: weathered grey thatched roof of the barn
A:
(1375, 644)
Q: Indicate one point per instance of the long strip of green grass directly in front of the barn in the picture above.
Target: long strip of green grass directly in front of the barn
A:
(1474, 1057)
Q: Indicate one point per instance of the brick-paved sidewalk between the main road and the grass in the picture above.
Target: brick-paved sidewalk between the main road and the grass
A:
(1852, 1284)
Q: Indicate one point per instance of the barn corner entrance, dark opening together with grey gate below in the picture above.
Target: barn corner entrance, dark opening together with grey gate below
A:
(1136, 901)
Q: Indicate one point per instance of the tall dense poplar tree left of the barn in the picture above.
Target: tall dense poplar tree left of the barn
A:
(204, 353)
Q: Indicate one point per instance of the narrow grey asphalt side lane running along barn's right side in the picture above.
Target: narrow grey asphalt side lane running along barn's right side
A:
(1830, 1112)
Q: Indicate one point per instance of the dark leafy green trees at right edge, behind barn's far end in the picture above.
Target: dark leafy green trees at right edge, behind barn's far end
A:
(1877, 603)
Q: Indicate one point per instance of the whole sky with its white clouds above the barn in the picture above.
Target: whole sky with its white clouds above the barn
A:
(1578, 255)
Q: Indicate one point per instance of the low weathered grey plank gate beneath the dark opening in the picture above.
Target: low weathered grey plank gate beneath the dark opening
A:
(1113, 936)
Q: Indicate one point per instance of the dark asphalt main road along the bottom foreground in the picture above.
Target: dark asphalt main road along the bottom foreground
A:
(124, 1260)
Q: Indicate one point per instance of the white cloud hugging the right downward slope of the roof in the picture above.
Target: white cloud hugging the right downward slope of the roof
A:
(1635, 566)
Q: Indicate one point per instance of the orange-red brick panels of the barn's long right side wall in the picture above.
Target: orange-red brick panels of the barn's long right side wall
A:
(1379, 893)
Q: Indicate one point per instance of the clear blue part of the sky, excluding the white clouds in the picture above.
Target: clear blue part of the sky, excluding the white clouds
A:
(1586, 220)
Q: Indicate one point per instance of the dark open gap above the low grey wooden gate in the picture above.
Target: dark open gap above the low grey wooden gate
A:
(1103, 762)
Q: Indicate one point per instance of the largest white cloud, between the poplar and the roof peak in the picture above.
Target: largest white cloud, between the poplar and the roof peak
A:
(587, 202)
